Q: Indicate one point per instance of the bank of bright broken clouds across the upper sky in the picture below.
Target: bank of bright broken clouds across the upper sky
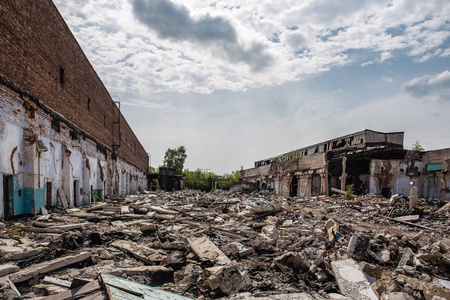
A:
(208, 46)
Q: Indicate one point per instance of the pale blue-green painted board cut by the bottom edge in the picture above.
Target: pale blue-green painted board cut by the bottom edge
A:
(119, 288)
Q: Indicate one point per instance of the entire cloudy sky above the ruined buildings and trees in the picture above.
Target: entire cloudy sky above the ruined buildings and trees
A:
(238, 81)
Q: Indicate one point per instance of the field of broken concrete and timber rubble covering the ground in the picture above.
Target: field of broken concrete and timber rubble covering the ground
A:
(192, 245)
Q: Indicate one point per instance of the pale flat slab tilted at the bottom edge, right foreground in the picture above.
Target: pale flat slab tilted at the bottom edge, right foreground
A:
(351, 280)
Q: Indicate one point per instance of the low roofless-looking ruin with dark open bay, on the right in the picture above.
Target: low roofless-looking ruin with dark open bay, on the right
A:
(374, 162)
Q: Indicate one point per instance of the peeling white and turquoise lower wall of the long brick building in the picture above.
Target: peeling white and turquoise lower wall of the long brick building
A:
(74, 165)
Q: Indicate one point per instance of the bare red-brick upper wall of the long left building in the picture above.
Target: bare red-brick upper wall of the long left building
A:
(36, 45)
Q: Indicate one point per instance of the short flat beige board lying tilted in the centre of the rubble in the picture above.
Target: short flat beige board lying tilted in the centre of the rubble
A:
(207, 251)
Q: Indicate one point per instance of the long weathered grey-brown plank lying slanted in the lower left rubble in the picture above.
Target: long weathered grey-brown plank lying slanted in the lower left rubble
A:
(48, 266)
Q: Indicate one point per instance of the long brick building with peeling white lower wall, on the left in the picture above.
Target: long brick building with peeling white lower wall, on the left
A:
(63, 139)
